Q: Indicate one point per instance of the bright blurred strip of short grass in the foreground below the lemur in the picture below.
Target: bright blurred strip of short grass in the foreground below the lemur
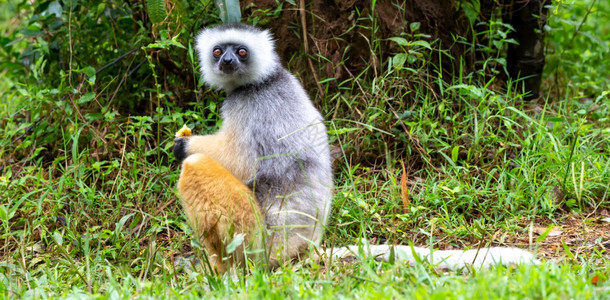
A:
(365, 281)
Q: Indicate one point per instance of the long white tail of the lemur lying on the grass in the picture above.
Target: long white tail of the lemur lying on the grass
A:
(444, 259)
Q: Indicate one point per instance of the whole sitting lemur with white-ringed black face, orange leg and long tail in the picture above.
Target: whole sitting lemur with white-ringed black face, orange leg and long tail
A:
(273, 146)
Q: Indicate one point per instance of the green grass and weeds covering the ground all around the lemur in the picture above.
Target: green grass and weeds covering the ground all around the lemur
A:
(88, 206)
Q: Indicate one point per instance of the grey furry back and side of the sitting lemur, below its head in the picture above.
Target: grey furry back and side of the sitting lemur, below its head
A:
(291, 173)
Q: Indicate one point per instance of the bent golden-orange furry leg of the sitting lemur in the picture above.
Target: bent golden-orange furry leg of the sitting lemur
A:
(219, 206)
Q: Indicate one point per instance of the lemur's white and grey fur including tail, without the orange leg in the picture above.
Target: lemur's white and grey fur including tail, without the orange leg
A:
(273, 140)
